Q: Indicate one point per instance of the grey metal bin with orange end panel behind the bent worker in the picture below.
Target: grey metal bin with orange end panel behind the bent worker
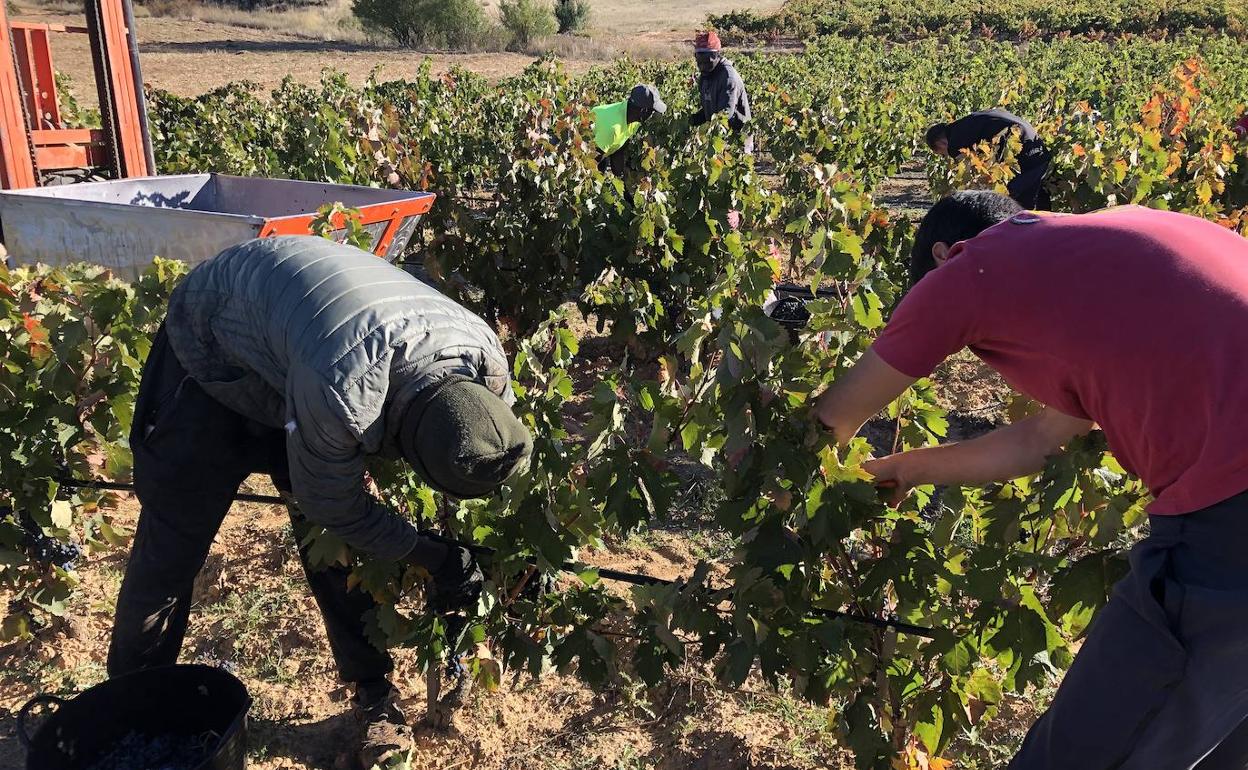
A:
(124, 224)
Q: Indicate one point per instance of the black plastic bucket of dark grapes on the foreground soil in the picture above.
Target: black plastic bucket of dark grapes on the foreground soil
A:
(200, 703)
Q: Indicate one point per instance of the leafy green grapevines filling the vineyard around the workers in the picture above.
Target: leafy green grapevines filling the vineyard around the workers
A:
(671, 268)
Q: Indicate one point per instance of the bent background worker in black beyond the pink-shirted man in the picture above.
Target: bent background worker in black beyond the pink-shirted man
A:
(1028, 187)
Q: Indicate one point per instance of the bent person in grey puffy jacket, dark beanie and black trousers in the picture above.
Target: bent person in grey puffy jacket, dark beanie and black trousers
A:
(300, 358)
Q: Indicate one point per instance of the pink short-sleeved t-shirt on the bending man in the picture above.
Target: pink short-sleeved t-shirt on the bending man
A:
(1131, 318)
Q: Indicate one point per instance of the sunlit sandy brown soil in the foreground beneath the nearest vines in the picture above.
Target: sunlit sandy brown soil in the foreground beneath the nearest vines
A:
(253, 612)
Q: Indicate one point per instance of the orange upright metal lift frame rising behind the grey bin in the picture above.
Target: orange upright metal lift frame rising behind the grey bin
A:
(34, 143)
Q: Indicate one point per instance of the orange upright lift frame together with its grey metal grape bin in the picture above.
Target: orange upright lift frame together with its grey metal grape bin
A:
(134, 215)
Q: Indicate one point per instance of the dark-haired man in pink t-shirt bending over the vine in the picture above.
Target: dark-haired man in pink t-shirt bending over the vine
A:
(1135, 321)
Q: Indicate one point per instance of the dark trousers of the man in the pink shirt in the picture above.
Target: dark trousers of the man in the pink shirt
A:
(1163, 680)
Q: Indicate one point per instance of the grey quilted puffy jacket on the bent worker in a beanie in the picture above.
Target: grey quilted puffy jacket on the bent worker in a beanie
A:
(330, 344)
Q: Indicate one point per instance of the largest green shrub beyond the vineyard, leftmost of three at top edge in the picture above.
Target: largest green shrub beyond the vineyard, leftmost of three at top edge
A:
(426, 23)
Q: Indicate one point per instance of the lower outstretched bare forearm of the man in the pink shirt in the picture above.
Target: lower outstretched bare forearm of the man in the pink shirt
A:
(1007, 454)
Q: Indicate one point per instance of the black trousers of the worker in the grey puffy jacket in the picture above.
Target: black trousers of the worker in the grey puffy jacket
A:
(192, 455)
